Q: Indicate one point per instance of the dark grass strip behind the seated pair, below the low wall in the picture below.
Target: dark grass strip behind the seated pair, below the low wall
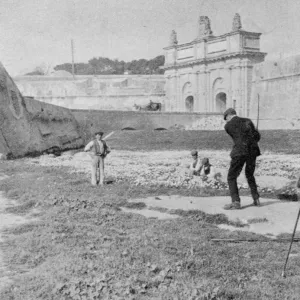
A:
(279, 141)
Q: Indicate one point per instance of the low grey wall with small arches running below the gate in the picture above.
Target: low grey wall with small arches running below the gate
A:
(92, 120)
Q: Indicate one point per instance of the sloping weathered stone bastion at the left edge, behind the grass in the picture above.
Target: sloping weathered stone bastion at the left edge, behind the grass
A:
(29, 126)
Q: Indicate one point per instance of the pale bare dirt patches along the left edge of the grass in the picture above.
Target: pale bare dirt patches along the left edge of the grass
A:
(7, 220)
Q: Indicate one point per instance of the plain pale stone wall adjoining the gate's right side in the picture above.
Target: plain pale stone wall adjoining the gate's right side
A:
(278, 85)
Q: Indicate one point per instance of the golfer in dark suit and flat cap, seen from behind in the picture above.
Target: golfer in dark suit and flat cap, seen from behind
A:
(245, 151)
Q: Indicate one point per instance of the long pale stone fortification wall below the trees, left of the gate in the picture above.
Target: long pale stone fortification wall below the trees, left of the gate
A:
(113, 92)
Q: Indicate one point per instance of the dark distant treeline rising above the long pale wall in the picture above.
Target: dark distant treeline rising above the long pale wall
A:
(107, 66)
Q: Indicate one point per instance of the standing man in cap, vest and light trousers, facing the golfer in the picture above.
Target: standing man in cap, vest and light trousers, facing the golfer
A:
(98, 150)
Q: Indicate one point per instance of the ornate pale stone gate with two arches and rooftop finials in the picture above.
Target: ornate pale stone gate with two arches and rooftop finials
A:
(212, 73)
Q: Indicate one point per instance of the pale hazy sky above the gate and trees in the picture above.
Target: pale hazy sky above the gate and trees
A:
(39, 32)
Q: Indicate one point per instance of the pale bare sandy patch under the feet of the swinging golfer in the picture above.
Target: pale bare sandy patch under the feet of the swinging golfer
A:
(273, 217)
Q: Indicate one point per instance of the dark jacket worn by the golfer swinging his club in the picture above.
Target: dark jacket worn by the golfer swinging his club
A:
(245, 137)
